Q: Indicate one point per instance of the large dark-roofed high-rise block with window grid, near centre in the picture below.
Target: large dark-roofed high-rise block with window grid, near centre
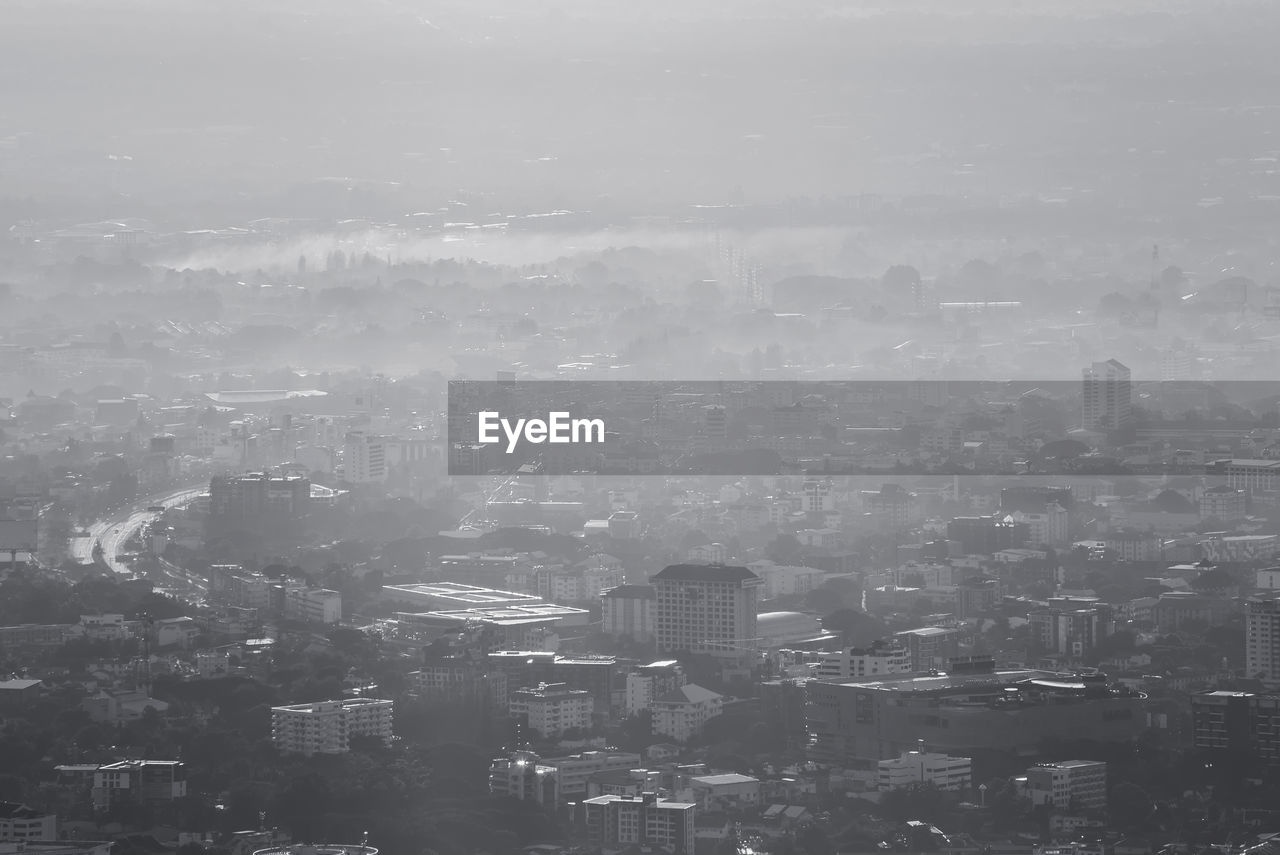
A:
(707, 609)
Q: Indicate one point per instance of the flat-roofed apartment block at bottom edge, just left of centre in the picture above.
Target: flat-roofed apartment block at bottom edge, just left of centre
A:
(615, 824)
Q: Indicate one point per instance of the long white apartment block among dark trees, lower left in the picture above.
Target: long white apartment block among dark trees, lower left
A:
(327, 728)
